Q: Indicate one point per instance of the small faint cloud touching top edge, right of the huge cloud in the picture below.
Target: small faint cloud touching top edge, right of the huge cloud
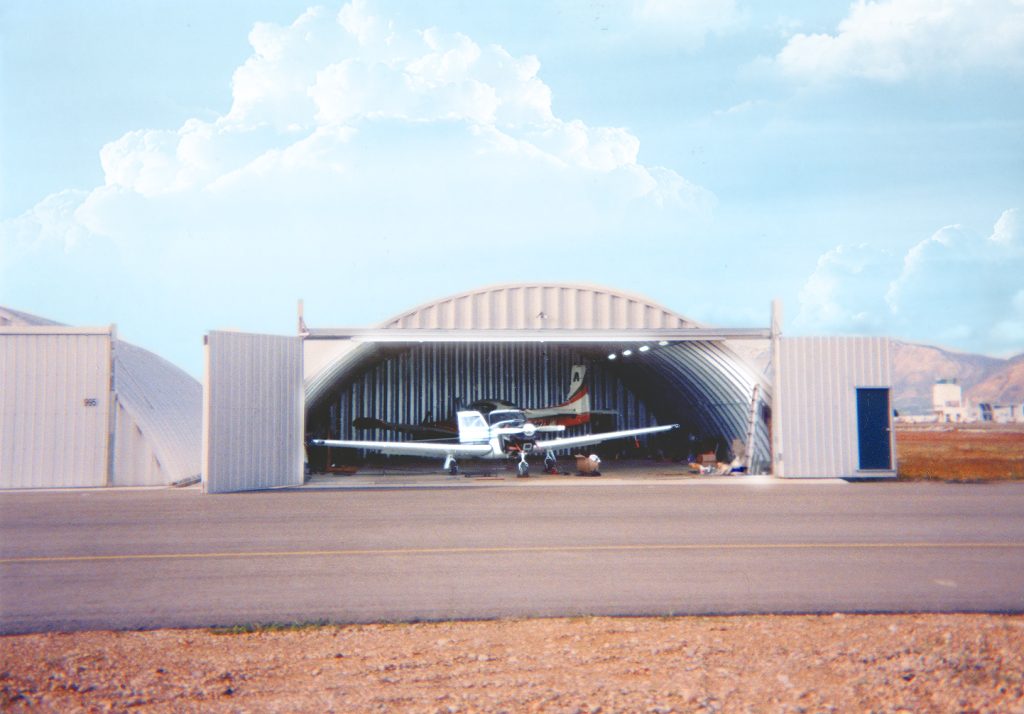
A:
(687, 23)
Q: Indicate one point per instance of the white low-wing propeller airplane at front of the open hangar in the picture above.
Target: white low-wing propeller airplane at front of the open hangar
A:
(504, 434)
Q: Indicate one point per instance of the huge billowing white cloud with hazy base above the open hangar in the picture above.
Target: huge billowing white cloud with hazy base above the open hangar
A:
(353, 145)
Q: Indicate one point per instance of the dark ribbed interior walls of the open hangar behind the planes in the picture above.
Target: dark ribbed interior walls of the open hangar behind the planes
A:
(698, 385)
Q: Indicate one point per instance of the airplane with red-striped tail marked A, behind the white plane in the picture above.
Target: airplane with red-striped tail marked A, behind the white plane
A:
(573, 412)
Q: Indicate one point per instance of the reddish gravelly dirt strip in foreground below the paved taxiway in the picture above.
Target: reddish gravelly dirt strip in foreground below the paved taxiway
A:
(844, 663)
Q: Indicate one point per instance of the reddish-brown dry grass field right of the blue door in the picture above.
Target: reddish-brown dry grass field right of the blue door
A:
(961, 453)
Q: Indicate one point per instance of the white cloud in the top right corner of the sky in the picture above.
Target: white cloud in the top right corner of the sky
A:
(894, 40)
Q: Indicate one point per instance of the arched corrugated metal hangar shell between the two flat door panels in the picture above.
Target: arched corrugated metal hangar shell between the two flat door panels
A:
(520, 343)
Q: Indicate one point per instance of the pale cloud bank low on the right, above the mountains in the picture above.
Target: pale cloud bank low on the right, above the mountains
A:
(958, 288)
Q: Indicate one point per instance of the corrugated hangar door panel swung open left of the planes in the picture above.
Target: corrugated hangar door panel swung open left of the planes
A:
(253, 412)
